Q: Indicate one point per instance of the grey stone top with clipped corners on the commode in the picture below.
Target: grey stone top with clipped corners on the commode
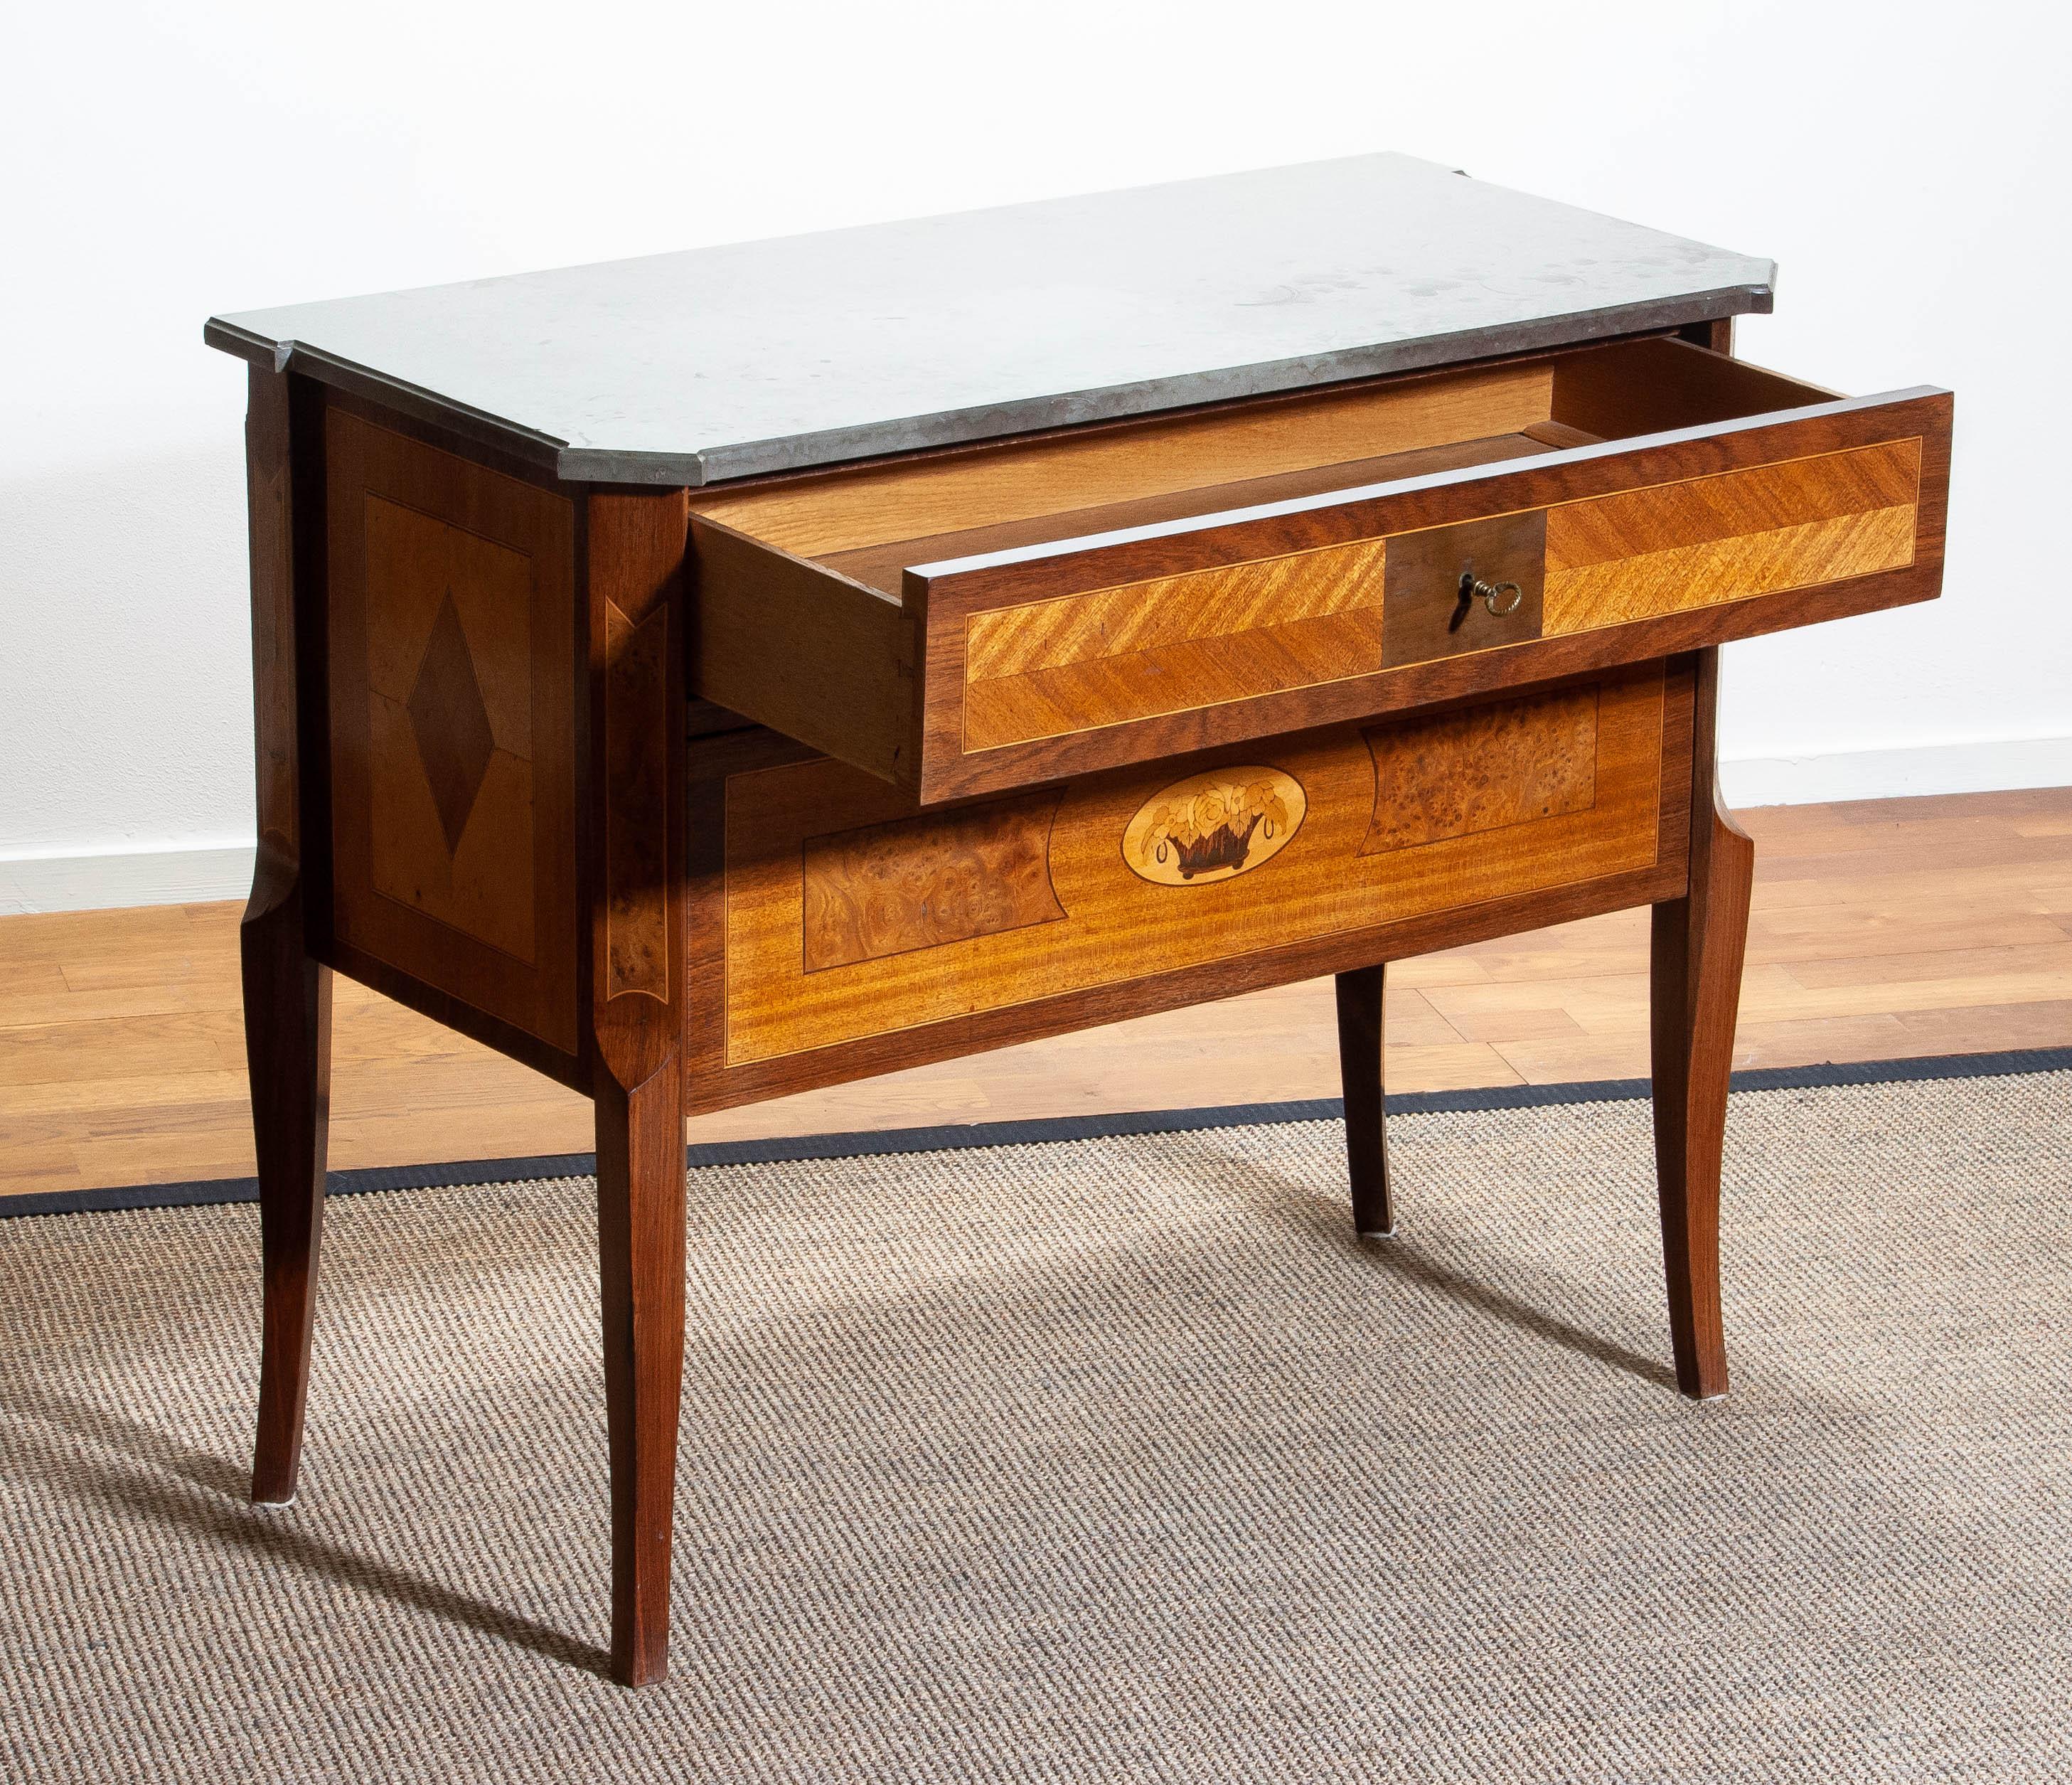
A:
(774, 356)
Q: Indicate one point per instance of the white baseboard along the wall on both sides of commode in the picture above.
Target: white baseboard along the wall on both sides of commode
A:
(194, 876)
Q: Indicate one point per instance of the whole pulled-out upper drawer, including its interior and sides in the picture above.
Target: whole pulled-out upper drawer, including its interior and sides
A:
(1010, 615)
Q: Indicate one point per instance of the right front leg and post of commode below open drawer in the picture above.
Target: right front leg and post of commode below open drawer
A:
(1696, 990)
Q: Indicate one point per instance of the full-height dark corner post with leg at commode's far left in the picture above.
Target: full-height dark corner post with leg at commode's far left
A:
(287, 990)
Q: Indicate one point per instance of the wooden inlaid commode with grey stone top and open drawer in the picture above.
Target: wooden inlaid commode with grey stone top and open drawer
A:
(732, 673)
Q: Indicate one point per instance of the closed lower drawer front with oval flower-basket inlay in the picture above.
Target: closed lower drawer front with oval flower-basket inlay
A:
(838, 932)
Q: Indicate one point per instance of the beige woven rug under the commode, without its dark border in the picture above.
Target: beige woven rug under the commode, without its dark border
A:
(1093, 1461)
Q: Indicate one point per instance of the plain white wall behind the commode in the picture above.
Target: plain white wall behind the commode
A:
(1905, 163)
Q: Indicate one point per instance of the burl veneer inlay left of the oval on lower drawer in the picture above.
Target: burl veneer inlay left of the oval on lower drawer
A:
(927, 882)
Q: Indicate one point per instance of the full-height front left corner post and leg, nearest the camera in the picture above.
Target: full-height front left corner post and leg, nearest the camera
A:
(637, 795)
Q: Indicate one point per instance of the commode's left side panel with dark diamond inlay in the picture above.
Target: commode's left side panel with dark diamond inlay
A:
(453, 712)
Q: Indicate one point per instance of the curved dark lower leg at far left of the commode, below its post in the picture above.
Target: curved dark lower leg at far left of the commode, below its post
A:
(289, 1050)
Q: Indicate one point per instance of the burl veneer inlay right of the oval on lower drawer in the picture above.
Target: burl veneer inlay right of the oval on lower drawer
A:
(1483, 770)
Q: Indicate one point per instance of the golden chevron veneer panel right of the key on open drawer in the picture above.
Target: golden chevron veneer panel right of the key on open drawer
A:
(1715, 540)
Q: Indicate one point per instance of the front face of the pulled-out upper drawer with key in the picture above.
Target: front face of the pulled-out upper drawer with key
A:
(1112, 650)
